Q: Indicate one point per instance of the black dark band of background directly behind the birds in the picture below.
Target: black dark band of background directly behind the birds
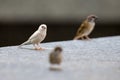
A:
(14, 33)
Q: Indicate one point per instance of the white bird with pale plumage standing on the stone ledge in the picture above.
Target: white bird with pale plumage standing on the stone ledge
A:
(37, 37)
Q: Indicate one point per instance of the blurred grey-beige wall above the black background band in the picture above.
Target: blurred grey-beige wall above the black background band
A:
(58, 9)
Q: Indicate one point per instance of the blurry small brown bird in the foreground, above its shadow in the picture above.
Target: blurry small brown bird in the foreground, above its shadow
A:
(55, 56)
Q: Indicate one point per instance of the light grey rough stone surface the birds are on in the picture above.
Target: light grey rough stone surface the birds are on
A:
(96, 59)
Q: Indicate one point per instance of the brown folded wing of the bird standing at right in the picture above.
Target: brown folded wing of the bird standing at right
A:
(82, 28)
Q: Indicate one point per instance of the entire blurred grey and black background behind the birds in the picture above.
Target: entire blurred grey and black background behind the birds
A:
(20, 18)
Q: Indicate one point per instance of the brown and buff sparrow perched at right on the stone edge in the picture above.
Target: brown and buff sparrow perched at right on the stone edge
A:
(86, 28)
